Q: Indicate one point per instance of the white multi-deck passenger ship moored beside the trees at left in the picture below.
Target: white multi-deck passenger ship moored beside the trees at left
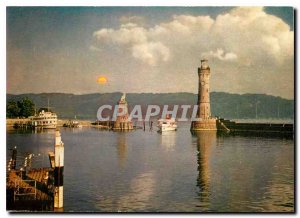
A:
(46, 120)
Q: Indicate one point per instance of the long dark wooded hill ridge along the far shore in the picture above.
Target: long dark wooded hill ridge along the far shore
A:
(230, 106)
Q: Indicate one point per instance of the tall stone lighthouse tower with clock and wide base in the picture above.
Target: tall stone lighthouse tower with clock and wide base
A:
(205, 121)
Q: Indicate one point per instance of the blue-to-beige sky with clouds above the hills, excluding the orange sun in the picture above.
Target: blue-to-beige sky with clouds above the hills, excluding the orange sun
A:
(150, 49)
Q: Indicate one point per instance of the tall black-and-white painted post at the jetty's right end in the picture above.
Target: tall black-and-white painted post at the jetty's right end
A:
(58, 173)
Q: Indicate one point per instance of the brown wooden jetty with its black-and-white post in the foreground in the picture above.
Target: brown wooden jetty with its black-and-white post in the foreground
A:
(36, 189)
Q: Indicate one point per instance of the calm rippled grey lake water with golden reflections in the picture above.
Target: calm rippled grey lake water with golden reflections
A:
(173, 172)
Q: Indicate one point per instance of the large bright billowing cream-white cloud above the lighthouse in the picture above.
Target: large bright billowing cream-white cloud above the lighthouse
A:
(247, 32)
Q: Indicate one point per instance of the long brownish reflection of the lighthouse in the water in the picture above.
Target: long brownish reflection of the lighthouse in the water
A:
(205, 141)
